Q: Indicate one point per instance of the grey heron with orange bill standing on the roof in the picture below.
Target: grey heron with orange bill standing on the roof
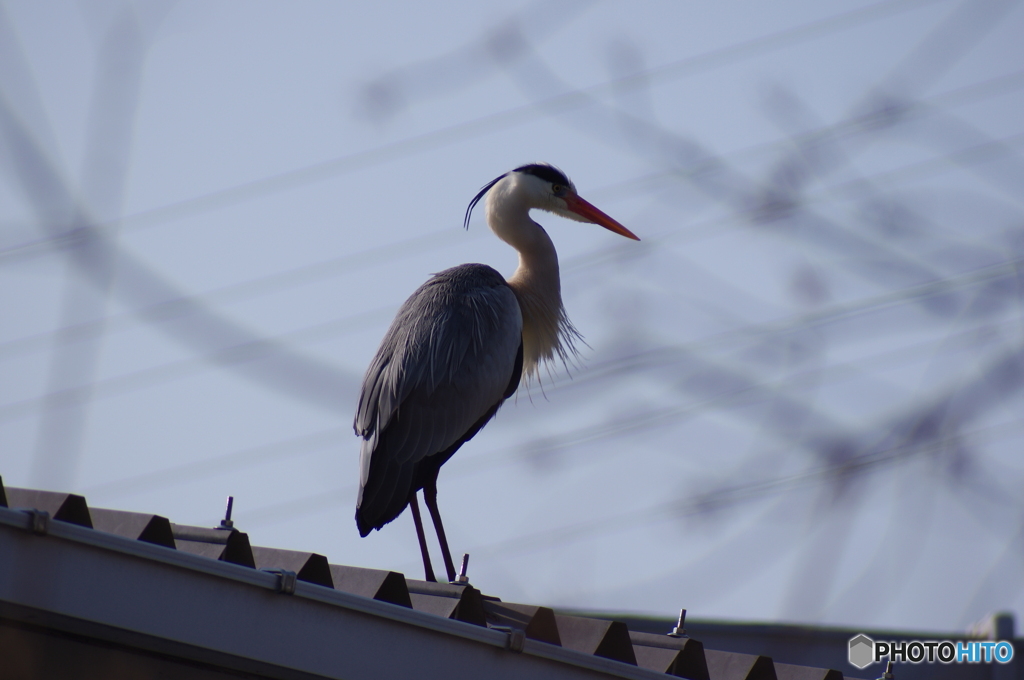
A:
(459, 348)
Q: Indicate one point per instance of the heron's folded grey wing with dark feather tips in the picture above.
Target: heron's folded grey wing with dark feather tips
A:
(446, 364)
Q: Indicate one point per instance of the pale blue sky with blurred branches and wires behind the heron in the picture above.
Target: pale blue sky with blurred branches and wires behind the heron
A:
(736, 441)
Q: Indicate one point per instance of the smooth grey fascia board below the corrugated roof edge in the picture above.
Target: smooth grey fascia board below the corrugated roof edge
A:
(134, 593)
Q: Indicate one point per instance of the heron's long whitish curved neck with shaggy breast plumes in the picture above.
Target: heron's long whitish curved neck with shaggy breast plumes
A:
(547, 332)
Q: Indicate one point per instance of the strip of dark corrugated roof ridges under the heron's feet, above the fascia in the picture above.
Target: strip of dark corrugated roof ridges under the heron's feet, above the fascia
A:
(566, 640)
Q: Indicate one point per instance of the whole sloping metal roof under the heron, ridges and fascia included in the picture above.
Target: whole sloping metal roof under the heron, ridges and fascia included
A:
(166, 593)
